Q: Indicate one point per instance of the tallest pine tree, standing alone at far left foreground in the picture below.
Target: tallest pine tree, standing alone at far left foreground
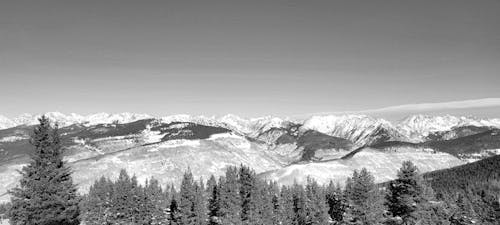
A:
(46, 194)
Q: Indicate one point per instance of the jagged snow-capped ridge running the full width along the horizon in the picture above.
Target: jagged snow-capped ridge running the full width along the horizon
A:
(360, 129)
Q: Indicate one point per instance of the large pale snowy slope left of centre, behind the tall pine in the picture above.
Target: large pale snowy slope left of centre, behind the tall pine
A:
(166, 160)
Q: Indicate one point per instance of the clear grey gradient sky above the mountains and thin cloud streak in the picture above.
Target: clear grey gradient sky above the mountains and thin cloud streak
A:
(250, 58)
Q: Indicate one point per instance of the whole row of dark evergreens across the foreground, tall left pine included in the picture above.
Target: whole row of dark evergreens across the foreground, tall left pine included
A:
(46, 195)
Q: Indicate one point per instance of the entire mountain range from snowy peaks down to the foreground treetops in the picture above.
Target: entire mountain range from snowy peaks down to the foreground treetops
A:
(282, 149)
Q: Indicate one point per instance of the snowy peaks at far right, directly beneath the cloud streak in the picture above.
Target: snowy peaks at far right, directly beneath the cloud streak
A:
(418, 127)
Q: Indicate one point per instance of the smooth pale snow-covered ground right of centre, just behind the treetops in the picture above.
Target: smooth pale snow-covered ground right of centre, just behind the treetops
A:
(384, 166)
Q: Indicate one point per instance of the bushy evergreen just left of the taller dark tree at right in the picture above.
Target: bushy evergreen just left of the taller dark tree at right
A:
(364, 200)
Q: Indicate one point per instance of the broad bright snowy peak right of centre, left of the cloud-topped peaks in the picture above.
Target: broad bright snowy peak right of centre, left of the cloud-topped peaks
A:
(359, 129)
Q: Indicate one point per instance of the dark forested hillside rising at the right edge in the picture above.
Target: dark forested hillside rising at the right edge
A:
(474, 189)
